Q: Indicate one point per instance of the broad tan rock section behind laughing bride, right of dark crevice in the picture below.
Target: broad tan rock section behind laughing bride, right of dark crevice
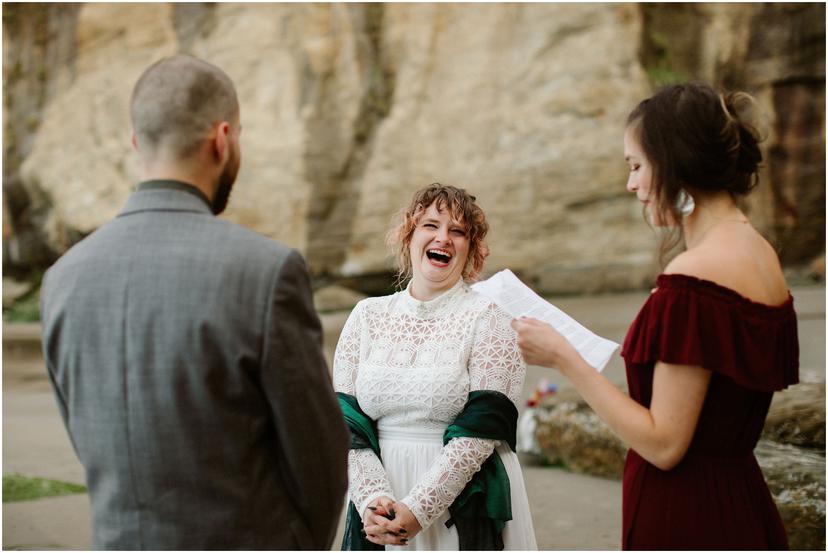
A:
(498, 100)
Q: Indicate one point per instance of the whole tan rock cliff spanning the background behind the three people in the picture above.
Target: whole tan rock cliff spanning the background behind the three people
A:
(348, 108)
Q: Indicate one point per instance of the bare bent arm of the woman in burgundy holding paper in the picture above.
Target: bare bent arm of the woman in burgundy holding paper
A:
(660, 434)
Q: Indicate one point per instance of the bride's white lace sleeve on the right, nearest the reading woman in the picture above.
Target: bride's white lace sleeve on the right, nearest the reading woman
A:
(495, 363)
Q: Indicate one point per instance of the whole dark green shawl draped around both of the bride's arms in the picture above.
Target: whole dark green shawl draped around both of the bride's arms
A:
(484, 506)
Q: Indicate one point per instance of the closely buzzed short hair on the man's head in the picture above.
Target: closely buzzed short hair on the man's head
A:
(176, 102)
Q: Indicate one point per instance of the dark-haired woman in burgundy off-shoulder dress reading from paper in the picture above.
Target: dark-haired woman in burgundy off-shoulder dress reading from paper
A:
(712, 343)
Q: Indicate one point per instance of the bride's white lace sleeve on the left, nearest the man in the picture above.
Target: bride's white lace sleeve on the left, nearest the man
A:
(366, 475)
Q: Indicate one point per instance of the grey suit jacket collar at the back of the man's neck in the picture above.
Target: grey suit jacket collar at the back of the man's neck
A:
(166, 195)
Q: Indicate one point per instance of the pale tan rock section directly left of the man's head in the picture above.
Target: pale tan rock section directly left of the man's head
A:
(81, 158)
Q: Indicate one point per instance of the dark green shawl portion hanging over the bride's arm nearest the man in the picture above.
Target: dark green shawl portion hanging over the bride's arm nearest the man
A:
(363, 436)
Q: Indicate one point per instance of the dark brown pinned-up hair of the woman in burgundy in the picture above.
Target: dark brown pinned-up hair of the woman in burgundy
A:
(696, 140)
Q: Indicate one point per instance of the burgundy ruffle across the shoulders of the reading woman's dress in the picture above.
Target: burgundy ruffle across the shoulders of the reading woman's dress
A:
(690, 321)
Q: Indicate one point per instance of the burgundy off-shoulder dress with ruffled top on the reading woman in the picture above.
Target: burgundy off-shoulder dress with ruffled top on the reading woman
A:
(716, 497)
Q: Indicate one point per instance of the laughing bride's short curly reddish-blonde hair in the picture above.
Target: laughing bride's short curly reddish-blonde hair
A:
(462, 207)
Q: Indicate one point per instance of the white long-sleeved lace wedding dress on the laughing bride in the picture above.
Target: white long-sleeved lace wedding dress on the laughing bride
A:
(411, 366)
